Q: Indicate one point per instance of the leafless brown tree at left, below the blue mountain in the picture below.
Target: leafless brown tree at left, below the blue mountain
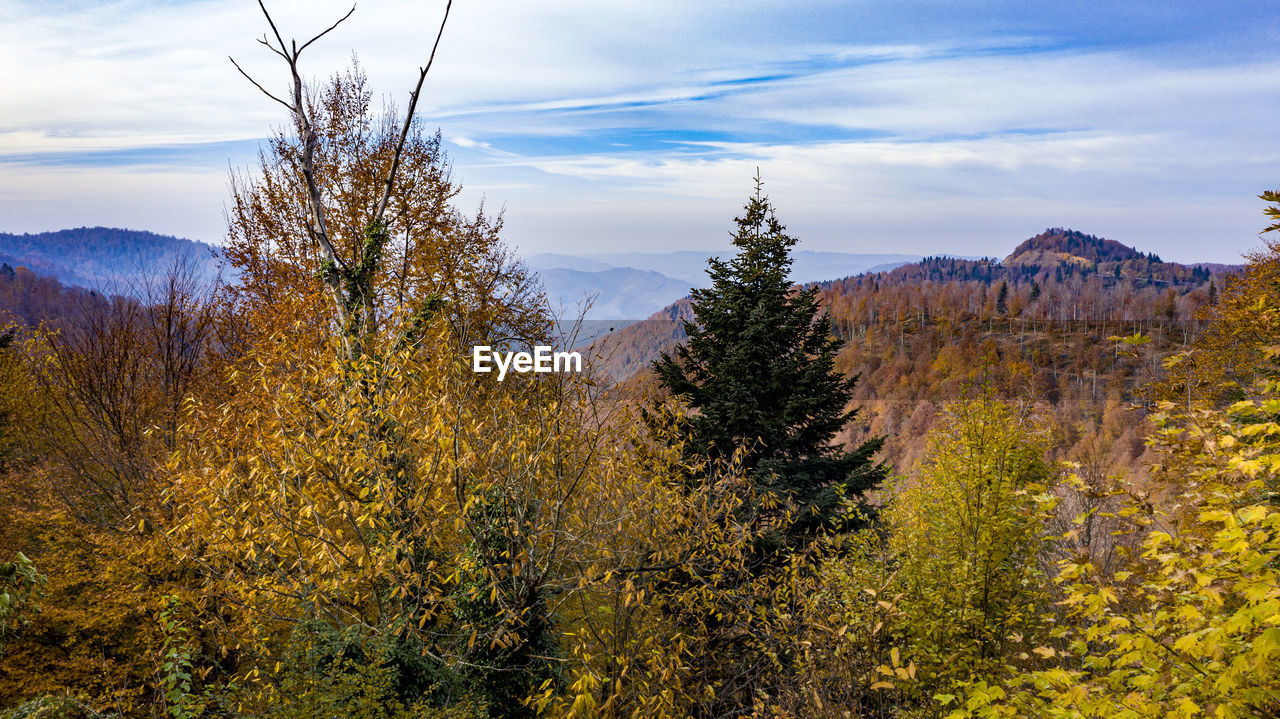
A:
(115, 381)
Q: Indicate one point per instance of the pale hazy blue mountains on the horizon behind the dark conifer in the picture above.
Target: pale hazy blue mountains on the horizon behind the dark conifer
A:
(637, 285)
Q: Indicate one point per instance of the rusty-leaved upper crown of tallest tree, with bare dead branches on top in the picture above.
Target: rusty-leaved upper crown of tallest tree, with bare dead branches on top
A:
(356, 208)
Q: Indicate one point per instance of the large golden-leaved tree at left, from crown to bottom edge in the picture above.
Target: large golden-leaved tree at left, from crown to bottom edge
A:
(359, 496)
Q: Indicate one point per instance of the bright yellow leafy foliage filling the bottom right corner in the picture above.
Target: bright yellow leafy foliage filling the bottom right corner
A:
(1188, 628)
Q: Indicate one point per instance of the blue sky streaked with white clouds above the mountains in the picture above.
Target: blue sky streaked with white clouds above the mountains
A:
(947, 127)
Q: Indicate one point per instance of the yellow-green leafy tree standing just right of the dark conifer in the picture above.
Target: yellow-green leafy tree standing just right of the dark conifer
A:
(967, 539)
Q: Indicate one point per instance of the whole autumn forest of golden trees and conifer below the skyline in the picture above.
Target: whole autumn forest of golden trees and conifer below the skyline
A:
(1040, 487)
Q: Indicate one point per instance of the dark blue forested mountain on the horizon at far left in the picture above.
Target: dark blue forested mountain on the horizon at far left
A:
(106, 259)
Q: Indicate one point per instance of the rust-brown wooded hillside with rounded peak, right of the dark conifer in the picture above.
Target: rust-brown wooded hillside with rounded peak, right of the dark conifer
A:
(1036, 324)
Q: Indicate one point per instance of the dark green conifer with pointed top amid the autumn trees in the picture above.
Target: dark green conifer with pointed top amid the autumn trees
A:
(760, 369)
